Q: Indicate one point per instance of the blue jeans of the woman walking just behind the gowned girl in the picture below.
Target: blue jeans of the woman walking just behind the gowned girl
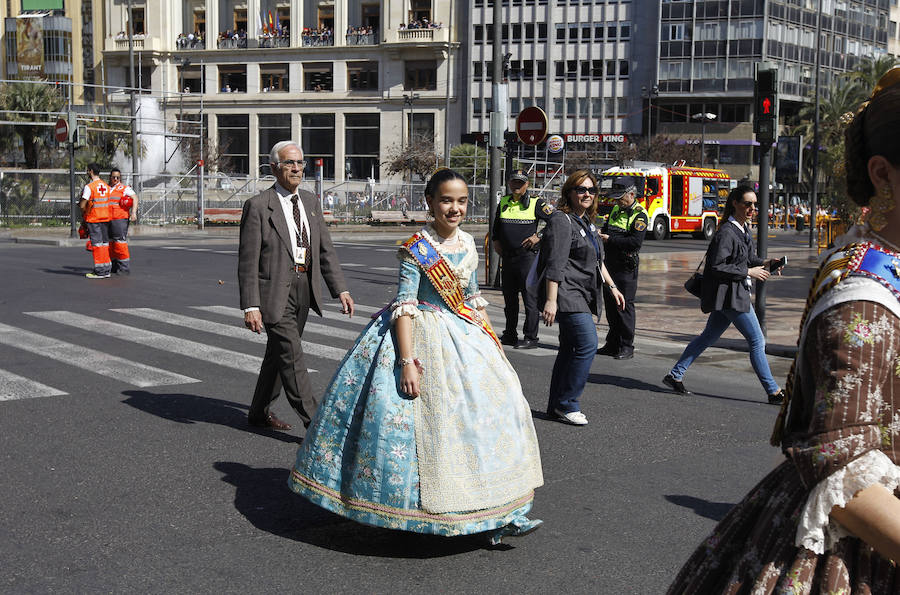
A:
(577, 347)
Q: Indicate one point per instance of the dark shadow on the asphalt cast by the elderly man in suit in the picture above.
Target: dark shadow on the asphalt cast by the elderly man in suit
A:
(189, 409)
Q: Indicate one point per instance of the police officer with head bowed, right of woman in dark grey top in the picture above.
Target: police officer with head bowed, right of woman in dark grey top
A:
(622, 234)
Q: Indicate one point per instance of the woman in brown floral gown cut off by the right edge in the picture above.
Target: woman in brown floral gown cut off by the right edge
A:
(827, 520)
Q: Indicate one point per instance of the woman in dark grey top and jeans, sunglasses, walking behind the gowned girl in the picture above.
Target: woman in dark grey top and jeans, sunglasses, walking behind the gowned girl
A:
(570, 263)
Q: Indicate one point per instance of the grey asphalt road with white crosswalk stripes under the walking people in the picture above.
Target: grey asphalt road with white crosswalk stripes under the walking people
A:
(124, 478)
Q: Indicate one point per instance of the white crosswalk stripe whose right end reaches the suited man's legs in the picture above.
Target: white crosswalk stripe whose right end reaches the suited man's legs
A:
(207, 353)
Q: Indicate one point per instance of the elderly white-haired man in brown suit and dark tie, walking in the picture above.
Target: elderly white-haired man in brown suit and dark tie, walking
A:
(284, 247)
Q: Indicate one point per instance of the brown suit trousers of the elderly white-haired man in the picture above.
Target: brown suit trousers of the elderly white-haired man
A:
(283, 364)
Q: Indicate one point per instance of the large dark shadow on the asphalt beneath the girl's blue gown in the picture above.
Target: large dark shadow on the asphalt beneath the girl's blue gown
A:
(262, 496)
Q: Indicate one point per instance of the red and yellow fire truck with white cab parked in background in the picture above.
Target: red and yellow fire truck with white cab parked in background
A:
(678, 199)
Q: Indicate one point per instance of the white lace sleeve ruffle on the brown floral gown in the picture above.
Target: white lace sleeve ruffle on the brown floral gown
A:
(816, 531)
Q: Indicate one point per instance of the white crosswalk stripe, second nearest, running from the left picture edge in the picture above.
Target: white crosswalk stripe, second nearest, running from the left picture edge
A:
(89, 359)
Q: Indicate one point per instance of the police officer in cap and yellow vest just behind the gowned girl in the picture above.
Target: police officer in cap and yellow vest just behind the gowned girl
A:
(515, 240)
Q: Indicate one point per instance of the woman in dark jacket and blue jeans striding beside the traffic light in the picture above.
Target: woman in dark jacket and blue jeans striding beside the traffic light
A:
(731, 263)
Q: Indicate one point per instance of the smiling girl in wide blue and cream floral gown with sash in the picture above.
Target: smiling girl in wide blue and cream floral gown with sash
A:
(424, 427)
